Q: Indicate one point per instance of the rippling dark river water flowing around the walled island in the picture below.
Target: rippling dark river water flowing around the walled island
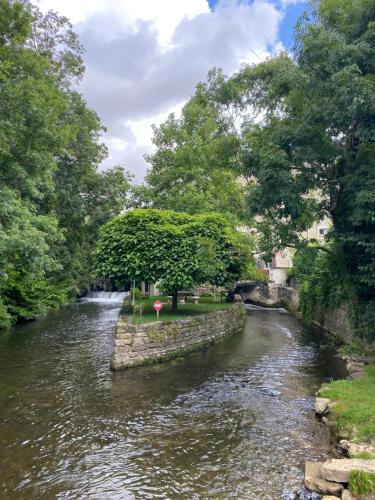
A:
(232, 421)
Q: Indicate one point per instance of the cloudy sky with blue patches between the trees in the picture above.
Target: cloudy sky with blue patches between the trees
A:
(143, 58)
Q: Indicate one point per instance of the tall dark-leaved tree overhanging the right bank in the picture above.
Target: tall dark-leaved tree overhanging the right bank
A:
(312, 151)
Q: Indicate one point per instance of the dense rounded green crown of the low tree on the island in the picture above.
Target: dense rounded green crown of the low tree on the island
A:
(178, 250)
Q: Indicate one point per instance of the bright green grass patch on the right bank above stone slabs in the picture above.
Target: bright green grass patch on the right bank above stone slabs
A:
(354, 412)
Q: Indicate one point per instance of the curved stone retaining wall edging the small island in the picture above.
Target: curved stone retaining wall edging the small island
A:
(151, 342)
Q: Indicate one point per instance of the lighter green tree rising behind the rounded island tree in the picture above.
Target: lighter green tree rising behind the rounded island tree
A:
(192, 168)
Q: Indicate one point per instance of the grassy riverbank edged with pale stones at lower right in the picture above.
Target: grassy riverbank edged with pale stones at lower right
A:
(347, 407)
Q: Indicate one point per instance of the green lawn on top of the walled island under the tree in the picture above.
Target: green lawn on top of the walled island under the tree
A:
(206, 305)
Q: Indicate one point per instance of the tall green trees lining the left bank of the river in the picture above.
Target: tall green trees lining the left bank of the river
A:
(52, 199)
